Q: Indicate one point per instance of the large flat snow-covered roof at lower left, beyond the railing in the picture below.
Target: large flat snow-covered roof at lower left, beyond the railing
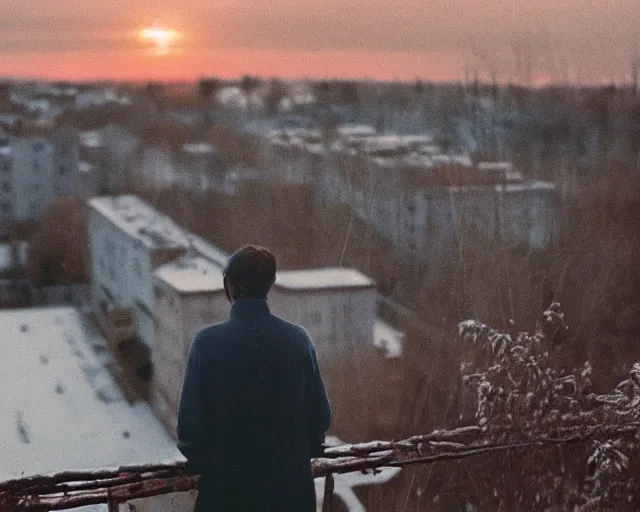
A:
(61, 409)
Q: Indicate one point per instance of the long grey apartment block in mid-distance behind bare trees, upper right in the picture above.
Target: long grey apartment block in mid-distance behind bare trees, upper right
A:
(424, 202)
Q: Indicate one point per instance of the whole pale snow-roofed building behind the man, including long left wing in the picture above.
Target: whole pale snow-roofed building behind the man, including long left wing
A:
(150, 272)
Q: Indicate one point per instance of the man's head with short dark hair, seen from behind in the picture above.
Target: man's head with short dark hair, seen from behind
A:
(250, 271)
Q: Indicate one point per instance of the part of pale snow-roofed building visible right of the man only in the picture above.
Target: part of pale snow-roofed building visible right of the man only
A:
(337, 306)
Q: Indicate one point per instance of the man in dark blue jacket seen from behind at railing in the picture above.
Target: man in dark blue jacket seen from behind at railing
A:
(254, 408)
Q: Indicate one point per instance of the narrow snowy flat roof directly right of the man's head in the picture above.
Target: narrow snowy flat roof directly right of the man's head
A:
(322, 278)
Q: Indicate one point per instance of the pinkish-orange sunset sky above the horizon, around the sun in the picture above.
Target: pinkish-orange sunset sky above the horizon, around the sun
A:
(516, 40)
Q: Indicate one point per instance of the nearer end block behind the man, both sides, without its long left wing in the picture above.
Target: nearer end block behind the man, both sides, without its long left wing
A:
(336, 306)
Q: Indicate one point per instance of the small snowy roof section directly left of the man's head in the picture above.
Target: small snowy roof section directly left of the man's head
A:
(191, 274)
